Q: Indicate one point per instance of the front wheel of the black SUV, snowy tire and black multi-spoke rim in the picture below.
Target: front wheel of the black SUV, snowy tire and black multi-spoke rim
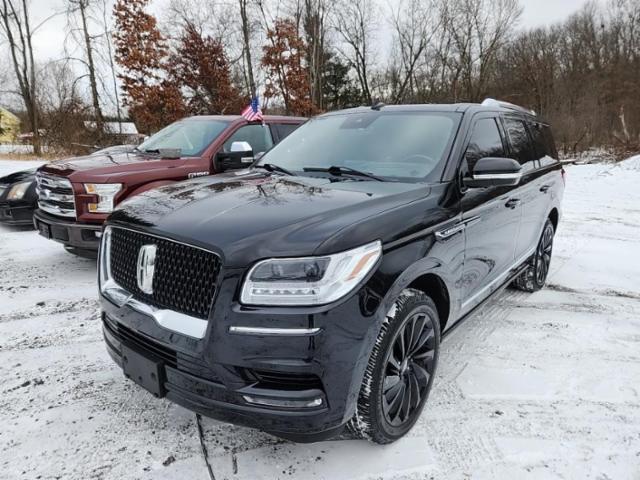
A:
(413, 320)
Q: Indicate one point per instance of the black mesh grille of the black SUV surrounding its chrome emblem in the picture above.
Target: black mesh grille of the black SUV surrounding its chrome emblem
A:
(184, 277)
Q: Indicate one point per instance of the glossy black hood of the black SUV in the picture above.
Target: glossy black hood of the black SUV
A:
(249, 215)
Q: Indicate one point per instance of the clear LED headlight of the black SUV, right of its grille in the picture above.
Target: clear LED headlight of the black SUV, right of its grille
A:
(311, 280)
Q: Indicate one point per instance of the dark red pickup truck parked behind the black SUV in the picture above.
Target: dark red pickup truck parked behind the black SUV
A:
(75, 196)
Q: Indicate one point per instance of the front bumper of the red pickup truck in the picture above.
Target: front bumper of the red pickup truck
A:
(81, 236)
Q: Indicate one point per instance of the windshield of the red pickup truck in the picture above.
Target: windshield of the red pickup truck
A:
(192, 137)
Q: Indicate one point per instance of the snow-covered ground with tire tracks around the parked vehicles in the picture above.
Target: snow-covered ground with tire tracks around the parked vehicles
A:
(542, 386)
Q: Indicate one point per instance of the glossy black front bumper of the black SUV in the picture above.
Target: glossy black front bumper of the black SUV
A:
(218, 374)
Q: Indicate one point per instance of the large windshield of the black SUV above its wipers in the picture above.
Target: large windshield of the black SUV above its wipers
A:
(403, 146)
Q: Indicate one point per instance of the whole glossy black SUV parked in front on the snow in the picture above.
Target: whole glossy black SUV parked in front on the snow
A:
(310, 292)
